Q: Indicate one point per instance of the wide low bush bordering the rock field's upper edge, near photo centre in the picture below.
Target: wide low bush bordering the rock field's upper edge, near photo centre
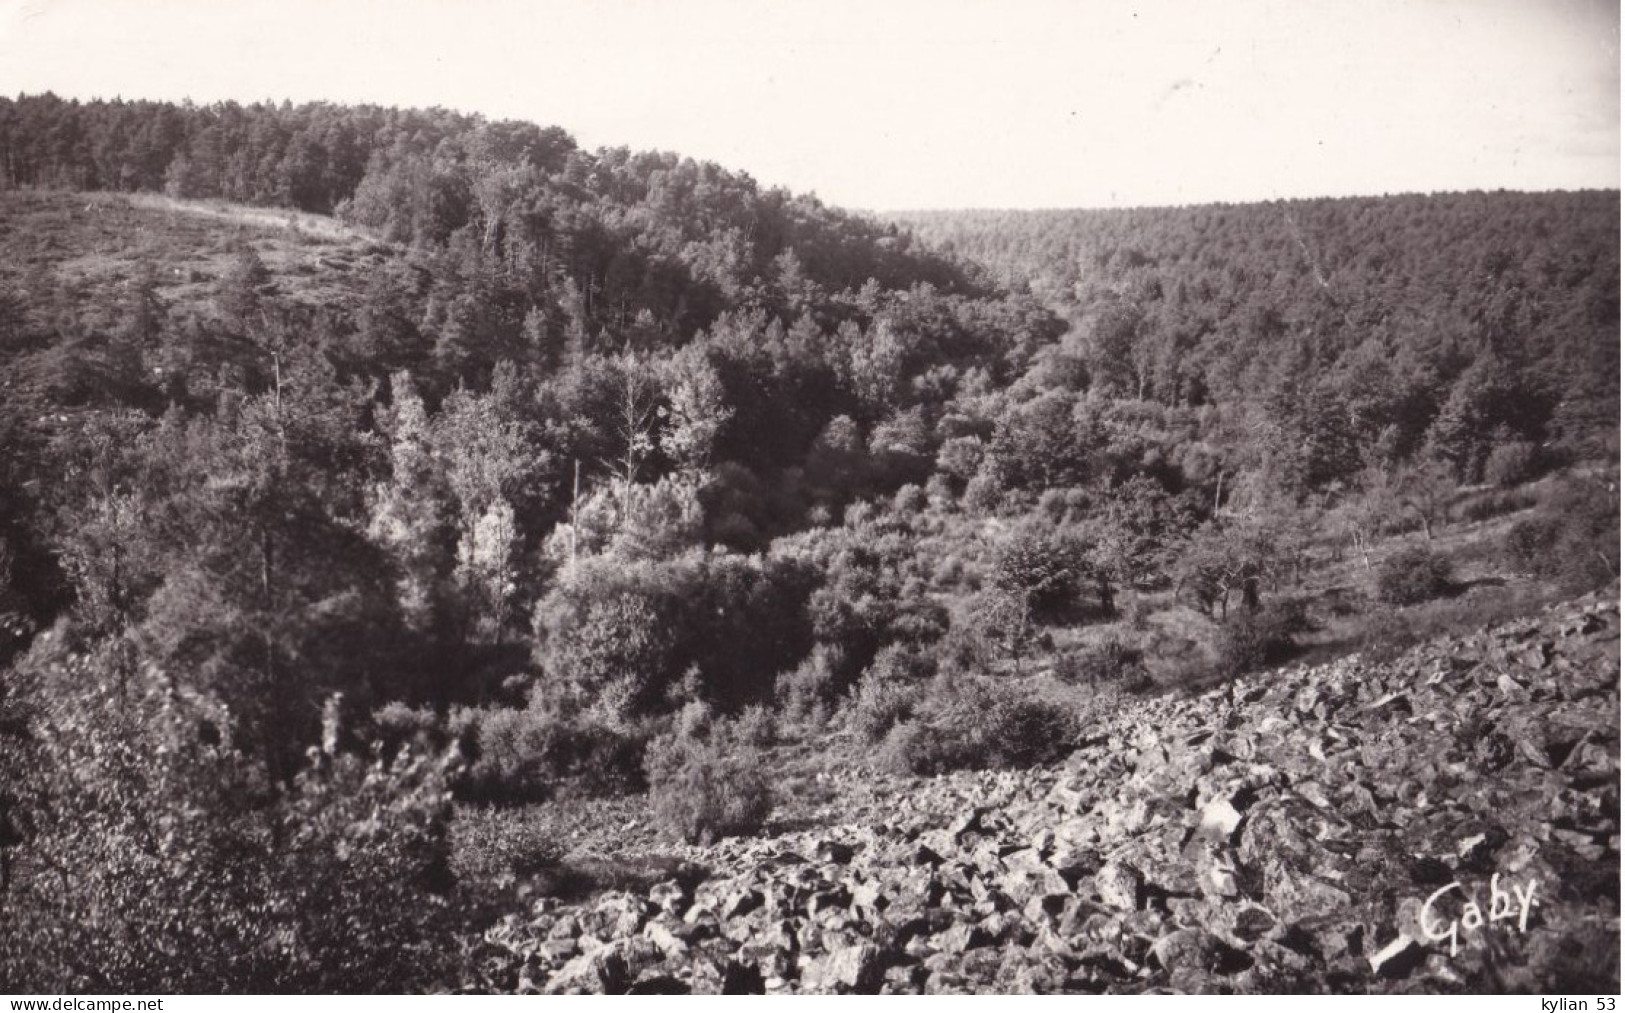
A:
(966, 724)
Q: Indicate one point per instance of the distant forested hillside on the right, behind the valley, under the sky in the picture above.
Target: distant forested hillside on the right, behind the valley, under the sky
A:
(1392, 308)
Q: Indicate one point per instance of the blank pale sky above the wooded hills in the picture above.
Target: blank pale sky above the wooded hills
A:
(896, 105)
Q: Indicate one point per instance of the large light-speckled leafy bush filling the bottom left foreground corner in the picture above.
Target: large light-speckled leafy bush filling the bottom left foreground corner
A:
(191, 874)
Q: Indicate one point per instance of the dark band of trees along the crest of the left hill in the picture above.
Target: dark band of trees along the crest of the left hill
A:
(633, 232)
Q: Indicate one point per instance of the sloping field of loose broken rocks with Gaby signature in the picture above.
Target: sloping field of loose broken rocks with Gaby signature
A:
(1286, 843)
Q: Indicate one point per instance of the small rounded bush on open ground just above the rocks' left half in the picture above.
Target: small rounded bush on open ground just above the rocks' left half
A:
(708, 788)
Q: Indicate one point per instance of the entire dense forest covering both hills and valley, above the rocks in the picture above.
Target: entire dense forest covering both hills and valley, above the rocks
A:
(360, 467)
